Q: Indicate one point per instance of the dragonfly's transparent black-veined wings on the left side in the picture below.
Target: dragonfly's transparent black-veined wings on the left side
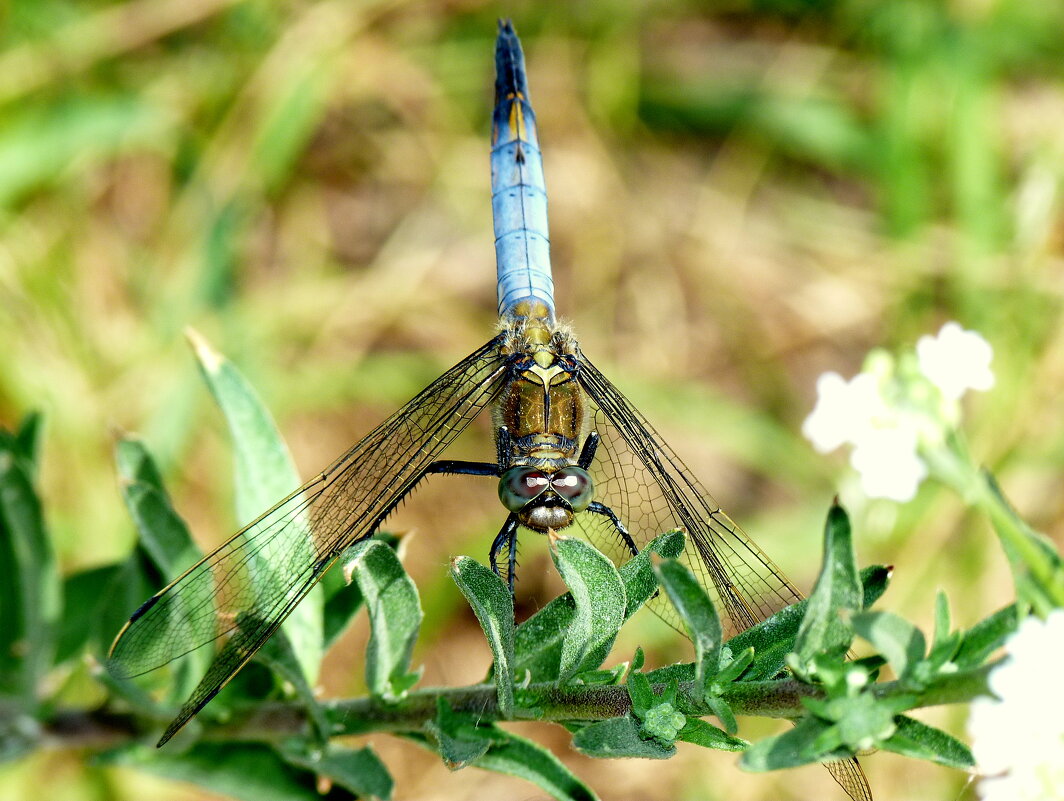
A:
(241, 594)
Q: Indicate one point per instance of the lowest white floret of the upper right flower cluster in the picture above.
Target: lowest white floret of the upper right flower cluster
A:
(888, 463)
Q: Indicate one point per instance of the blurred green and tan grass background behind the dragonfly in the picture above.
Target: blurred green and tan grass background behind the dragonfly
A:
(743, 196)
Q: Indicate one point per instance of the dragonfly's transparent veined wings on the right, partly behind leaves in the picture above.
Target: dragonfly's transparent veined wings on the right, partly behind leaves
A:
(651, 490)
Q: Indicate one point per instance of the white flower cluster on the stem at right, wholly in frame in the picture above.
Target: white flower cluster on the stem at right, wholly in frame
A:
(893, 408)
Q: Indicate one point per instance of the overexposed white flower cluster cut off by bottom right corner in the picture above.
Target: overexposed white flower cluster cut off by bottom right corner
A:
(1018, 739)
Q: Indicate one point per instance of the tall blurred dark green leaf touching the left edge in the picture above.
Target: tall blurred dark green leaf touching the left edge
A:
(30, 592)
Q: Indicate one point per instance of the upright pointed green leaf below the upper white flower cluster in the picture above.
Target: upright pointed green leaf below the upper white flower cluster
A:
(838, 588)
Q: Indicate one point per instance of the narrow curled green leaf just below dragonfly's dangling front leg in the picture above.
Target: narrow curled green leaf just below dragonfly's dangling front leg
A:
(491, 602)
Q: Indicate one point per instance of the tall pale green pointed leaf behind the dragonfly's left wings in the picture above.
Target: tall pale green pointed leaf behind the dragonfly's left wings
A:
(265, 475)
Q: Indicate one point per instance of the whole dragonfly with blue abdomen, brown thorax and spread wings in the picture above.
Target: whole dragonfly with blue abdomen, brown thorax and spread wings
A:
(571, 452)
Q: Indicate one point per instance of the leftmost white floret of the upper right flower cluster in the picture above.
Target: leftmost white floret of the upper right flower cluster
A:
(844, 410)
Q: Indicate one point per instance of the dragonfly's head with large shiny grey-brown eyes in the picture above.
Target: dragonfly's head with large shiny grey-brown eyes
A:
(546, 500)
